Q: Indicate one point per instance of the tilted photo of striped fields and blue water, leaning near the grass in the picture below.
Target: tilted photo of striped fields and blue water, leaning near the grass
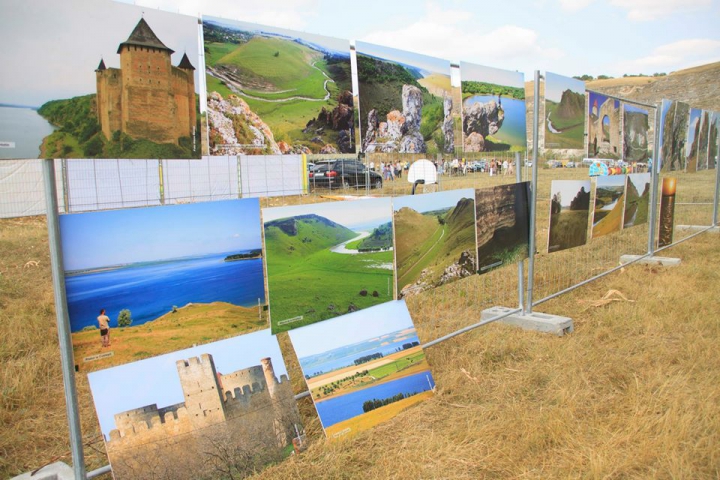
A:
(364, 368)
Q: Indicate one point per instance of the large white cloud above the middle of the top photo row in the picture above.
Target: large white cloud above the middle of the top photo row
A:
(454, 35)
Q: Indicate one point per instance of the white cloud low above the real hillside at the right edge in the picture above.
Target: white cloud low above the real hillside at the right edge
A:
(674, 56)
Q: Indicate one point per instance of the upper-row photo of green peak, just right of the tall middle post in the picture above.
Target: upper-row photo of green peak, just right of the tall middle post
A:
(564, 112)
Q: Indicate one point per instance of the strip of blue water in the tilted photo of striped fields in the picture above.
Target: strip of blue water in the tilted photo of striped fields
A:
(344, 407)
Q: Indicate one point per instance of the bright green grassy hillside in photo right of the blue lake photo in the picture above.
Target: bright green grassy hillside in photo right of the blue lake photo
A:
(307, 282)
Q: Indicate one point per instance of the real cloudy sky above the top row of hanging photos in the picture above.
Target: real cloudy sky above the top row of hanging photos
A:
(568, 37)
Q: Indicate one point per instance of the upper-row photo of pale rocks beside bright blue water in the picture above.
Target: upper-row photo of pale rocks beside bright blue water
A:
(493, 109)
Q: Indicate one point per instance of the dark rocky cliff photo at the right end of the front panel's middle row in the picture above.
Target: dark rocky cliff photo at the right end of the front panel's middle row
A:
(502, 225)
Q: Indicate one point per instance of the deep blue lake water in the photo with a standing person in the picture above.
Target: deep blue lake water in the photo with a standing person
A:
(151, 290)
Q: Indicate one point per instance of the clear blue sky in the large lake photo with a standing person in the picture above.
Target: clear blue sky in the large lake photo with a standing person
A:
(113, 237)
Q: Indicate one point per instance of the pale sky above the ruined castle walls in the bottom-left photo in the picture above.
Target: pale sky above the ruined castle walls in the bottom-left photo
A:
(156, 380)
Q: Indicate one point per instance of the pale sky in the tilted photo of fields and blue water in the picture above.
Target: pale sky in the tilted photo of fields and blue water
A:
(351, 328)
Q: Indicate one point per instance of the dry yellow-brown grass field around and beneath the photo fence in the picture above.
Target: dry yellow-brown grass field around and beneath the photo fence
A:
(634, 392)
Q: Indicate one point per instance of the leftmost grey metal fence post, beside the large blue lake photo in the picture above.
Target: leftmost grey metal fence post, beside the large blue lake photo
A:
(66, 351)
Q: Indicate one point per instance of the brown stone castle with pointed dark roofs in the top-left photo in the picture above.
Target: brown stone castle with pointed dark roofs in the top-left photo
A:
(147, 97)
